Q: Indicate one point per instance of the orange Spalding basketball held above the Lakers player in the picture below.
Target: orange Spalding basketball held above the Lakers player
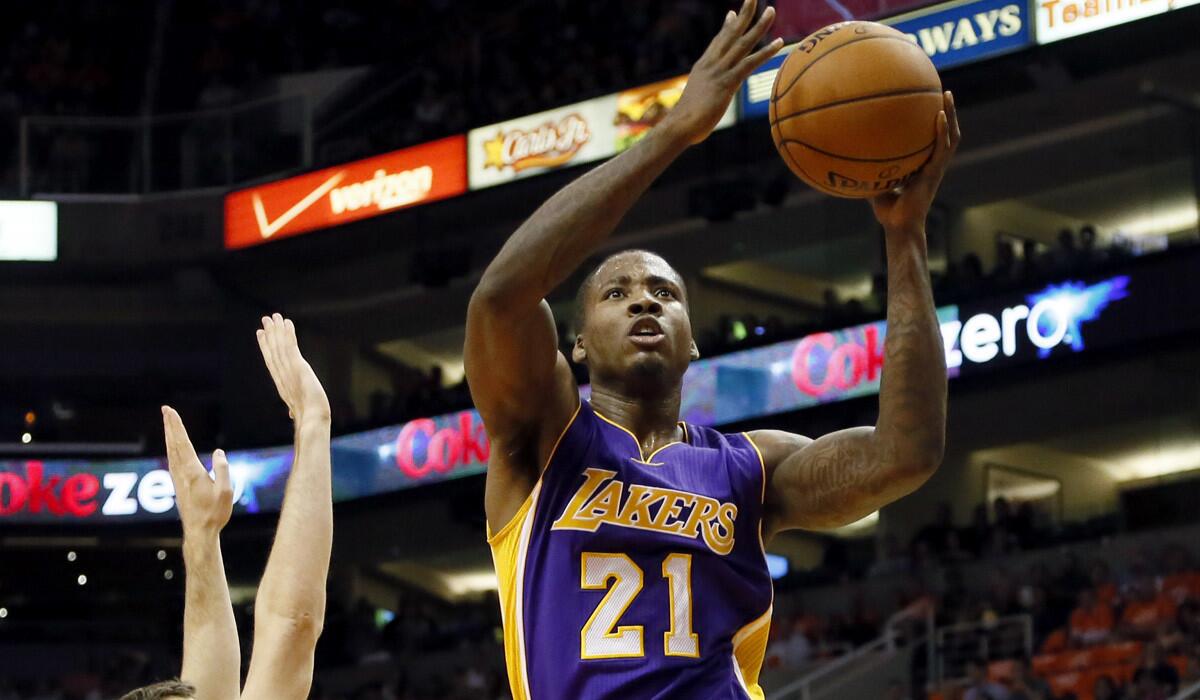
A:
(854, 110)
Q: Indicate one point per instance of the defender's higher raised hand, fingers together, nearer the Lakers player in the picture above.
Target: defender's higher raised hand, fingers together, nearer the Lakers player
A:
(295, 379)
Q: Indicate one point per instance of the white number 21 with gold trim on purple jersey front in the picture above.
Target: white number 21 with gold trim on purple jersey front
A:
(603, 638)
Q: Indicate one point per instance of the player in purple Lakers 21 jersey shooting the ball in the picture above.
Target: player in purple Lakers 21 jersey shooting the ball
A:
(629, 546)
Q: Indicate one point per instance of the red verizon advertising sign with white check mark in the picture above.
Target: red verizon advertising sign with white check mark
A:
(345, 194)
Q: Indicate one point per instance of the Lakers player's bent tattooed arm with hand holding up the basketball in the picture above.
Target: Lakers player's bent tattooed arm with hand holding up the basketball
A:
(845, 476)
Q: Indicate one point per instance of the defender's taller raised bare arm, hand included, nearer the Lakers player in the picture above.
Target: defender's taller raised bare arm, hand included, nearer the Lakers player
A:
(290, 611)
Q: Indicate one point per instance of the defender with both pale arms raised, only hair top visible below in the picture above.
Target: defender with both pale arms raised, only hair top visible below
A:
(290, 609)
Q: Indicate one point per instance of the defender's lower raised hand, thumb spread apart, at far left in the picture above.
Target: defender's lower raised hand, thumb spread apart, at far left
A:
(205, 502)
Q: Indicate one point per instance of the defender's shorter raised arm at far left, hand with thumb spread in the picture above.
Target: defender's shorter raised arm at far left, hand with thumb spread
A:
(212, 657)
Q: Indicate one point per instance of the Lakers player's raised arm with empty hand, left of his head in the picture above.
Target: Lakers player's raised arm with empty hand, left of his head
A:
(520, 384)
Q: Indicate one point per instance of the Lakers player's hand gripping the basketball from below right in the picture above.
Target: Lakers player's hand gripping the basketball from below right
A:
(907, 211)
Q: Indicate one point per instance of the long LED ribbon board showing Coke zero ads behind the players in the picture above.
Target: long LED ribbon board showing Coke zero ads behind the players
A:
(1017, 331)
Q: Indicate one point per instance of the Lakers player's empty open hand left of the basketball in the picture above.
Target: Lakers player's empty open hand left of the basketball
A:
(721, 71)
